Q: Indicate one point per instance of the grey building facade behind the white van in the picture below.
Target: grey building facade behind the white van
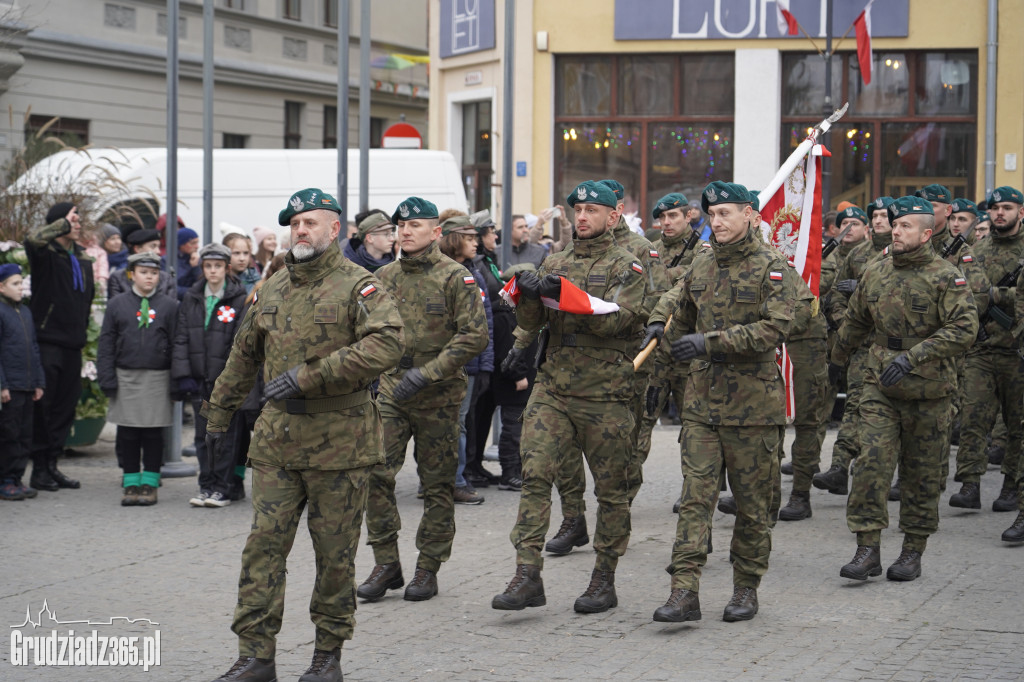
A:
(101, 67)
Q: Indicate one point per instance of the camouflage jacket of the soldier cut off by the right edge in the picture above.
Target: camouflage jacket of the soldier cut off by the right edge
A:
(996, 257)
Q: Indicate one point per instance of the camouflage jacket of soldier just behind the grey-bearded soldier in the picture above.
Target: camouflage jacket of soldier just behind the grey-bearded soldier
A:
(446, 325)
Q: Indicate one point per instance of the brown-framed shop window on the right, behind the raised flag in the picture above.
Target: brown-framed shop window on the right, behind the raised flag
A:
(916, 124)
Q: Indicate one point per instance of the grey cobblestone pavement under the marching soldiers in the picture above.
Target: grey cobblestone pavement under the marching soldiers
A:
(91, 559)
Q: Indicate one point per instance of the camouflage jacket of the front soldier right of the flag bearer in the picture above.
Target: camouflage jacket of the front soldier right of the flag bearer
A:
(914, 303)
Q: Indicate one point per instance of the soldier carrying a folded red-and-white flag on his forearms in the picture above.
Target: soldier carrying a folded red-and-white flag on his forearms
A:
(583, 397)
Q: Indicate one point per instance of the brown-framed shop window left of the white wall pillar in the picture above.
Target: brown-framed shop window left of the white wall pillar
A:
(656, 123)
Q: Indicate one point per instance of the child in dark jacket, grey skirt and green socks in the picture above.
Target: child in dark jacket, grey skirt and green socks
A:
(134, 370)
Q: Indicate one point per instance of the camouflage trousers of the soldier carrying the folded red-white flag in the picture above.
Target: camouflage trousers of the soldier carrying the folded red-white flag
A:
(554, 430)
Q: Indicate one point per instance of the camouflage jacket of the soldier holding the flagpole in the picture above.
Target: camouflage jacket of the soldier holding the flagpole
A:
(739, 296)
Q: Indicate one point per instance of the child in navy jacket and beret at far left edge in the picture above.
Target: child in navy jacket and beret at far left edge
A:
(22, 383)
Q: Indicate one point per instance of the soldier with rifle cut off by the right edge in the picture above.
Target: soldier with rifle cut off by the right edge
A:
(994, 367)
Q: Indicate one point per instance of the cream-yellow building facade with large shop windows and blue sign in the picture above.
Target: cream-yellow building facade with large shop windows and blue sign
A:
(668, 95)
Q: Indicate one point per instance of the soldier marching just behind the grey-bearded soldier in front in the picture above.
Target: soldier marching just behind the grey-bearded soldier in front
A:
(446, 327)
